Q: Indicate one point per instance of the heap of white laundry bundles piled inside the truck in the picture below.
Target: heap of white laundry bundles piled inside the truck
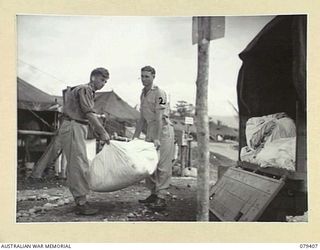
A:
(271, 141)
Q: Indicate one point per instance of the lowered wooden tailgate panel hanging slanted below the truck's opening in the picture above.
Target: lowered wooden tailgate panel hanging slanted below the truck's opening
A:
(241, 195)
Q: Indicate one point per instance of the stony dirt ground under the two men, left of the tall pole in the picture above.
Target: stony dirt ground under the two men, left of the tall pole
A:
(55, 204)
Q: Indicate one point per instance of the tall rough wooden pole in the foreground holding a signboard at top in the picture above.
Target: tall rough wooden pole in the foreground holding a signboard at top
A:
(202, 121)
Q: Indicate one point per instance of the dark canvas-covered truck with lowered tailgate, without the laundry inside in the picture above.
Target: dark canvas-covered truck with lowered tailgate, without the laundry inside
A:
(272, 79)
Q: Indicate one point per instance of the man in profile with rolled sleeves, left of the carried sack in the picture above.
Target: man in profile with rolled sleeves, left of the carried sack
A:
(78, 111)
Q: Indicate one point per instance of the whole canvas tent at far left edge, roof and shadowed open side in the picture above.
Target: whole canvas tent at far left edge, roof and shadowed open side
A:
(37, 120)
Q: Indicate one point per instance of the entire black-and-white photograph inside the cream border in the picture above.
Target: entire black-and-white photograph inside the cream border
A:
(161, 118)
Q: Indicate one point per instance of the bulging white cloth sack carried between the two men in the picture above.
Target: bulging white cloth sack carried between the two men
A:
(122, 164)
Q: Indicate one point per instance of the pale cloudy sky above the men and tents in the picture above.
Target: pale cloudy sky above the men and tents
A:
(58, 51)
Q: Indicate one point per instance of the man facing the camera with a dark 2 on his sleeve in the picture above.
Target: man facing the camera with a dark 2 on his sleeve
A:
(154, 111)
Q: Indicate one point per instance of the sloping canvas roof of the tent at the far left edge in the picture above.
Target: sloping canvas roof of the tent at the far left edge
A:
(30, 97)
